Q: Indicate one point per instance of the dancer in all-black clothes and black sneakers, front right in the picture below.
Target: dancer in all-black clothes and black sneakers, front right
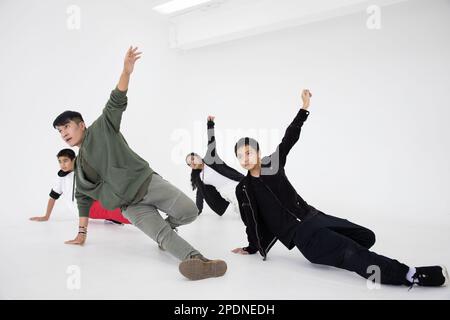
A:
(272, 210)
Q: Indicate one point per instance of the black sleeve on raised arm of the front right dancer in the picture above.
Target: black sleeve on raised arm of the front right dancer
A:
(291, 136)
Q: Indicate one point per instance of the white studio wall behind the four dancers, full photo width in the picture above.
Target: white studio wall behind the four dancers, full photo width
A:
(375, 145)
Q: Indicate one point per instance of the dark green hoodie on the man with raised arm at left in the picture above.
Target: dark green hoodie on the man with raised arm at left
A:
(106, 169)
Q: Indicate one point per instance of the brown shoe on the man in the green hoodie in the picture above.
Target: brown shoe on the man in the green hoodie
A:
(198, 267)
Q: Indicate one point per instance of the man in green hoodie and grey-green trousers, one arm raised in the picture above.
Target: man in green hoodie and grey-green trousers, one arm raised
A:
(107, 170)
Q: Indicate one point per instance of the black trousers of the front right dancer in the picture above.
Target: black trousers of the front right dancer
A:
(327, 240)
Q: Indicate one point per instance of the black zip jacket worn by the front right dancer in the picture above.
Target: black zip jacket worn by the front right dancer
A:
(273, 177)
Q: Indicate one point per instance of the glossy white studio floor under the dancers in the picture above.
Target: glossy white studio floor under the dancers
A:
(122, 263)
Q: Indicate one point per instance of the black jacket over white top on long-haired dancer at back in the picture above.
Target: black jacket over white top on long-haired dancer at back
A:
(208, 192)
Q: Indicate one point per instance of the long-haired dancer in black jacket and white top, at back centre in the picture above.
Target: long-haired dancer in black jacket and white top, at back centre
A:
(214, 180)
